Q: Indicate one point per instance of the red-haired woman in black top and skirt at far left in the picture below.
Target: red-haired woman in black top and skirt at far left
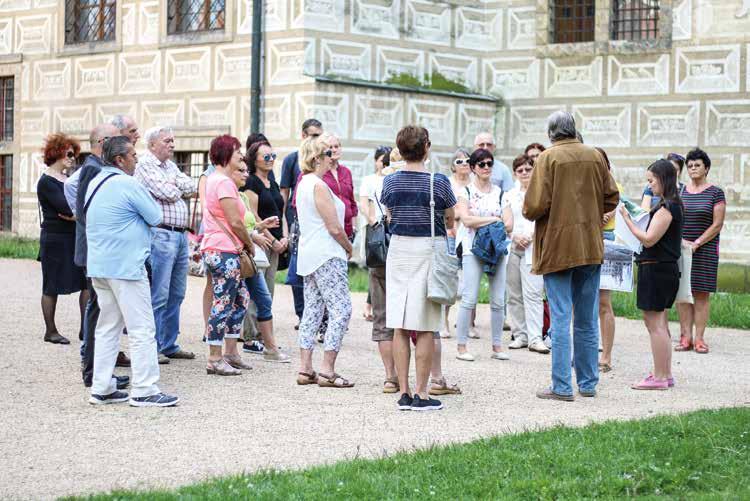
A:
(60, 275)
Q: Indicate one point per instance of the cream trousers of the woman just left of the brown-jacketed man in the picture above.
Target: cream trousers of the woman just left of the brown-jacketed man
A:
(525, 306)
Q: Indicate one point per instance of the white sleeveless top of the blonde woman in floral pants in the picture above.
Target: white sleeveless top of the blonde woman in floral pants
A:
(316, 245)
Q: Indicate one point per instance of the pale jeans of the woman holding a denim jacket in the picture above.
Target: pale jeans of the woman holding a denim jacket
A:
(472, 277)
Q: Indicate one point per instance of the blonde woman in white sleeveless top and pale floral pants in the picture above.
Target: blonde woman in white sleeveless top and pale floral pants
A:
(322, 262)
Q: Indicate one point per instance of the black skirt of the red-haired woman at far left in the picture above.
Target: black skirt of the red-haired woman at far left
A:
(60, 275)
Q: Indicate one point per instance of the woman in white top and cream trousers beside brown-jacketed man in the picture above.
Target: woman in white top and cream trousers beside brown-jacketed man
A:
(525, 306)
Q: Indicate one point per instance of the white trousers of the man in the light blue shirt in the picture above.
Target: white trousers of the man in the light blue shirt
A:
(125, 303)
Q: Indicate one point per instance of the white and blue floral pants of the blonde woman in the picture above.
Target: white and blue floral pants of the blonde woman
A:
(326, 289)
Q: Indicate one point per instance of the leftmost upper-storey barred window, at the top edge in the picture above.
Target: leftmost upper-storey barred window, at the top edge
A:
(89, 20)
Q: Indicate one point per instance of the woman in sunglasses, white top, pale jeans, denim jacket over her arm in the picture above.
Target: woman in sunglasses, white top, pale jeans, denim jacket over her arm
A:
(479, 206)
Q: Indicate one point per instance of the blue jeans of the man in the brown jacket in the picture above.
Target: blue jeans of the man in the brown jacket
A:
(574, 291)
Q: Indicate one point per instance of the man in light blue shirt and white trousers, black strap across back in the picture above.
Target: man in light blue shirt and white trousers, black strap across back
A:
(119, 215)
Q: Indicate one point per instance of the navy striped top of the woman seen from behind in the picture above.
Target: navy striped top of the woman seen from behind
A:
(407, 195)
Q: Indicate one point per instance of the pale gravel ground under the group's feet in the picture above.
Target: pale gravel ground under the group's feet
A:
(54, 443)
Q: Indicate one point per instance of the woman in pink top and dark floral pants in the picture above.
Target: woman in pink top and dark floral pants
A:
(224, 237)
